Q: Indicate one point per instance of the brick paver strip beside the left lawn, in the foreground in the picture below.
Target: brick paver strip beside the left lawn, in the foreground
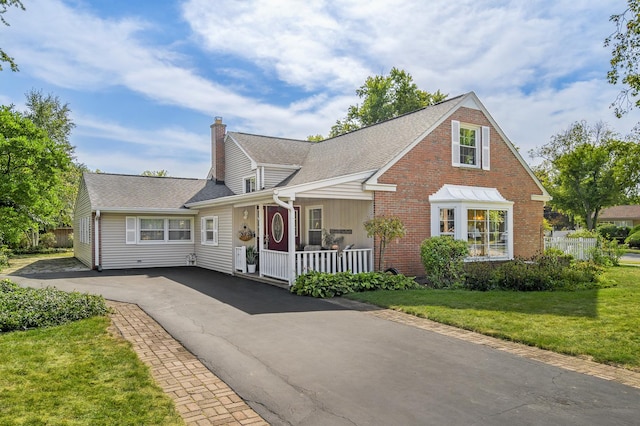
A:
(200, 397)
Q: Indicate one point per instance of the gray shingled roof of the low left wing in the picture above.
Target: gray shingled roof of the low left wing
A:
(148, 192)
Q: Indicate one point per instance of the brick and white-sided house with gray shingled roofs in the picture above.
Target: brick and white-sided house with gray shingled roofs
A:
(447, 169)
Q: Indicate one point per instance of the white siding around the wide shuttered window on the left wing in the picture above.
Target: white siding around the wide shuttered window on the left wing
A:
(116, 254)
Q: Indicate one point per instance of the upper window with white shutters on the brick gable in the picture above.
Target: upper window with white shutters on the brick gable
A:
(470, 145)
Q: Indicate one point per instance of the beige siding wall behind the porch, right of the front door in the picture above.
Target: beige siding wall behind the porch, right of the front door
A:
(340, 214)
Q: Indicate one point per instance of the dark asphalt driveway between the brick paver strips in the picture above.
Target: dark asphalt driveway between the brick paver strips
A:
(303, 361)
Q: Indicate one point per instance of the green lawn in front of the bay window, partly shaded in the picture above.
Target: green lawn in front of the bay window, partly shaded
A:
(601, 324)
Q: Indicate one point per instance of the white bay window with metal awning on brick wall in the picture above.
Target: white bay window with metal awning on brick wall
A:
(481, 216)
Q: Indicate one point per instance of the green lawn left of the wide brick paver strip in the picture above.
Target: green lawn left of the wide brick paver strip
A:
(77, 374)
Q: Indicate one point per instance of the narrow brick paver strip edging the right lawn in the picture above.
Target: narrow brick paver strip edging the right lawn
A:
(607, 372)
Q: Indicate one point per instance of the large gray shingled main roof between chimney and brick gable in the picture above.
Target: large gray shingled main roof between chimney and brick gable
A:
(366, 149)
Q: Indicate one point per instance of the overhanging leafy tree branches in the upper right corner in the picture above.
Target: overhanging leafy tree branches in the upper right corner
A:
(625, 41)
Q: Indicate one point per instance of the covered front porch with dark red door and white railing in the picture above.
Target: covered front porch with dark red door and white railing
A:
(305, 234)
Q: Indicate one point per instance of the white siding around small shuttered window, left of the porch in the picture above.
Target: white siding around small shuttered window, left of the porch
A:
(220, 257)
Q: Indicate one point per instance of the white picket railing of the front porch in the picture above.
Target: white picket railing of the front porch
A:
(276, 264)
